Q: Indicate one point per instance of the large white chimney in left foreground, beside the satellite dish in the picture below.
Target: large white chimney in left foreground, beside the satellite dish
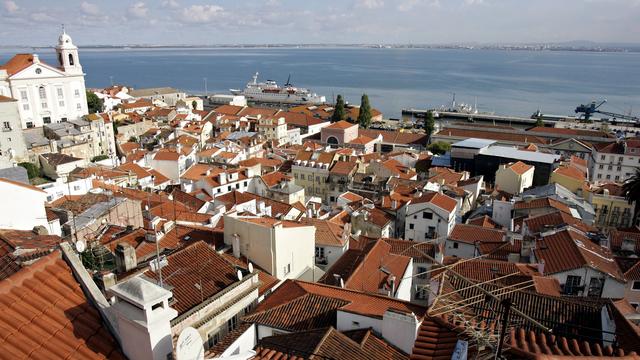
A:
(144, 319)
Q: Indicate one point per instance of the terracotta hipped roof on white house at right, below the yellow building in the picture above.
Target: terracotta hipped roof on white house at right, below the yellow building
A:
(568, 250)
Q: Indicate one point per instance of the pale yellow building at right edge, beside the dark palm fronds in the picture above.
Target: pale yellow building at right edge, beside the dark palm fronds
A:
(611, 207)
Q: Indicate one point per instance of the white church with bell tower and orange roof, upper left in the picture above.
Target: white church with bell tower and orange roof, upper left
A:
(45, 93)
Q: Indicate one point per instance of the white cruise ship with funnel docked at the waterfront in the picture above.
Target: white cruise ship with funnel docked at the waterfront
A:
(269, 91)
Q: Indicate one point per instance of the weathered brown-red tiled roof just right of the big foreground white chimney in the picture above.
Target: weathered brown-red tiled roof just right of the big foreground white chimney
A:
(196, 273)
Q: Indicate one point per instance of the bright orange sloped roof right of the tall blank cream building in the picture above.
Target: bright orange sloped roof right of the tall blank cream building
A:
(368, 269)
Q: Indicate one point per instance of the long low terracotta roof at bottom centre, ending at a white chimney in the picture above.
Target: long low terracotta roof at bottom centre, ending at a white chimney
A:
(298, 305)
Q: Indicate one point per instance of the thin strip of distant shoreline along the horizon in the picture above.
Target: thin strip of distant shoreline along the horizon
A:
(532, 47)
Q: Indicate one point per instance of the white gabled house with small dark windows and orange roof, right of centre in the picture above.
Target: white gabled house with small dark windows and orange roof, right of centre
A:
(429, 216)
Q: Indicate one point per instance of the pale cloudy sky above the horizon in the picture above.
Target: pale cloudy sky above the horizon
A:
(206, 22)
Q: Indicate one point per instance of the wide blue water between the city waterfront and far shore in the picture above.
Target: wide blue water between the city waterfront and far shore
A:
(505, 82)
